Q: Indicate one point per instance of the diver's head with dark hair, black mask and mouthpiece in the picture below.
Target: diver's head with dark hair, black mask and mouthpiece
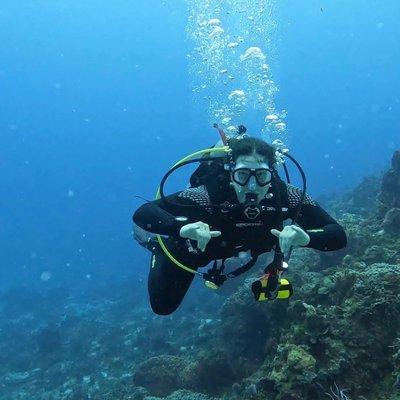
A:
(252, 170)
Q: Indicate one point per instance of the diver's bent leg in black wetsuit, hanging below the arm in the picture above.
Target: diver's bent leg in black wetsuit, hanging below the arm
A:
(167, 283)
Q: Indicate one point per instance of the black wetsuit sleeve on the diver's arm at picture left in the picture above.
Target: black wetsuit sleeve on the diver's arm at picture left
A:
(159, 217)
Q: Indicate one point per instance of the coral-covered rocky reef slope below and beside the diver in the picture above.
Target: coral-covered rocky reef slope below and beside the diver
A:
(336, 338)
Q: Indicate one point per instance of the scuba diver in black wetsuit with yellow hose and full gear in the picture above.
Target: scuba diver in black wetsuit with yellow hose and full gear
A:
(236, 203)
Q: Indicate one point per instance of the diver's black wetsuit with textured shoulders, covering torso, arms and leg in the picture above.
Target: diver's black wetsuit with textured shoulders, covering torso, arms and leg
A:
(168, 283)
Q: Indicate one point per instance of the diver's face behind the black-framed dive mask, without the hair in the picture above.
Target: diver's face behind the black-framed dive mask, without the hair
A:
(252, 178)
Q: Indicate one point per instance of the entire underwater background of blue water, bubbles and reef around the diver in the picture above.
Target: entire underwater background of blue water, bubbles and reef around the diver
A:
(98, 100)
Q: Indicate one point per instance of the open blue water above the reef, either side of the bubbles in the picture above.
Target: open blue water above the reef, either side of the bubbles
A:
(96, 103)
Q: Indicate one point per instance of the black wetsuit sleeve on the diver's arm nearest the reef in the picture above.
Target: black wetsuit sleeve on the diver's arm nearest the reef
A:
(324, 231)
